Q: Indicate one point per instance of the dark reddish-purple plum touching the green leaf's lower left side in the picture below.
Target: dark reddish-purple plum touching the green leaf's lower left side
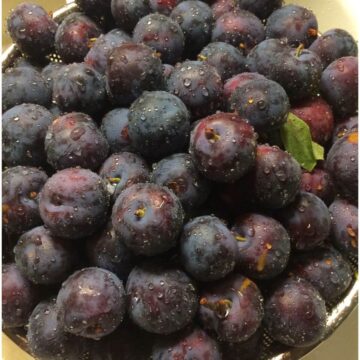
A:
(276, 177)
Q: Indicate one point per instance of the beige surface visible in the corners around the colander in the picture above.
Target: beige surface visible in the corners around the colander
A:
(343, 345)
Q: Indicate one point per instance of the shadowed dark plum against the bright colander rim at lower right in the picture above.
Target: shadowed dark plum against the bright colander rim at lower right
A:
(326, 270)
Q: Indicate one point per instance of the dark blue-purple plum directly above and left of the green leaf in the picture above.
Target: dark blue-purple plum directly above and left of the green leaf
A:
(263, 102)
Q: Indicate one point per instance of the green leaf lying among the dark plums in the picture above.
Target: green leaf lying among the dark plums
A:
(296, 137)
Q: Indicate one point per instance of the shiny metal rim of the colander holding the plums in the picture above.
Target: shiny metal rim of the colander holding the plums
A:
(335, 317)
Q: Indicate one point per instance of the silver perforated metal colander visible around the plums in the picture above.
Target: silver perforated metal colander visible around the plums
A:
(271, 350)
